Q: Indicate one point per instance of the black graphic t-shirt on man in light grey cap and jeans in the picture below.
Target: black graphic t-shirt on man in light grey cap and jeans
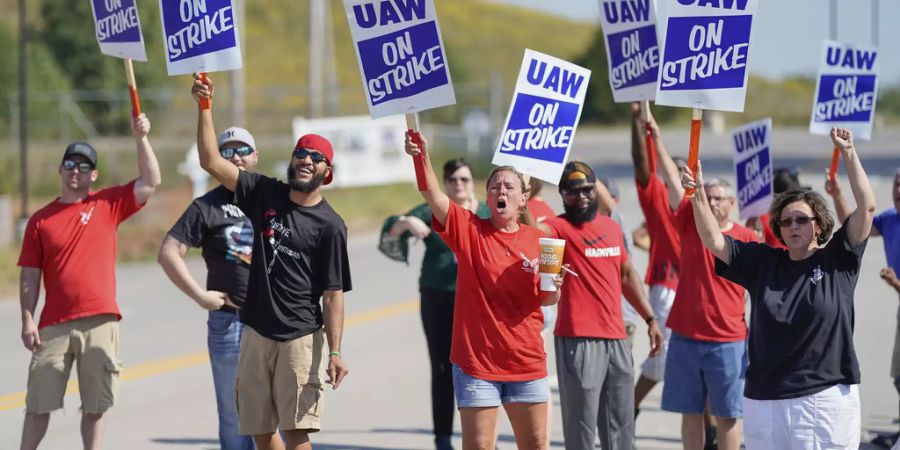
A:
(215, 224)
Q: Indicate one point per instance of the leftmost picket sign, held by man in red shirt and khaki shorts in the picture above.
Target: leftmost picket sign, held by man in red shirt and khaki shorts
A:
(118, 29)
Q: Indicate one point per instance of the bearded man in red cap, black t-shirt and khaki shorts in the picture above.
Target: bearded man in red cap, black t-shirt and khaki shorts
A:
(299, 256)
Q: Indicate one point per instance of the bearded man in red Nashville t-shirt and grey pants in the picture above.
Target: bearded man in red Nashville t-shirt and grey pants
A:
(593, 358)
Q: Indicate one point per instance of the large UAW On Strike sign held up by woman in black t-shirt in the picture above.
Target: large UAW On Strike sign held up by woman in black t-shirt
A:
(706, 52)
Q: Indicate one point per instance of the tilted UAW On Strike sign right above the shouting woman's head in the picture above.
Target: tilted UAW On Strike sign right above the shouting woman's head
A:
(545, 110)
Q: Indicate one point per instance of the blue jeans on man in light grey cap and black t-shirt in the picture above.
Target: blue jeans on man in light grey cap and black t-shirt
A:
(224, 343)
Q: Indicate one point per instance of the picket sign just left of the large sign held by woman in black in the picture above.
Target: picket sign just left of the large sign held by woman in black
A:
(632, 50)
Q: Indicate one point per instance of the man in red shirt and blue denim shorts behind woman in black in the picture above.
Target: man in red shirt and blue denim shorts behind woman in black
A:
(707, 351)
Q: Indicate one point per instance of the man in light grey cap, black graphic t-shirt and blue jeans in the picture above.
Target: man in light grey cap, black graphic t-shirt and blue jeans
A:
(214, 223)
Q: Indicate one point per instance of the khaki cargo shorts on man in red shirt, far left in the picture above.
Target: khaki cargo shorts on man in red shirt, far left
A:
(92, 343)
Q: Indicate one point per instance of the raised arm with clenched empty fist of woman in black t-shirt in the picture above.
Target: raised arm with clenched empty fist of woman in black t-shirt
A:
(859, 223)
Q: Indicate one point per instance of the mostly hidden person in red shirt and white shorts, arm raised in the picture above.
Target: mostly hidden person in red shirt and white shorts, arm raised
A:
(665, 241)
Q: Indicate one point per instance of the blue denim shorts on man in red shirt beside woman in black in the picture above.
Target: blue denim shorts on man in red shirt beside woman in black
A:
(696, 370)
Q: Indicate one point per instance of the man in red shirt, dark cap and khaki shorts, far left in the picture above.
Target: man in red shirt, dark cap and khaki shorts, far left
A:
(71, 244)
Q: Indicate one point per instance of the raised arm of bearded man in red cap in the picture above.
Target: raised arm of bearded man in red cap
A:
(210, 160)
